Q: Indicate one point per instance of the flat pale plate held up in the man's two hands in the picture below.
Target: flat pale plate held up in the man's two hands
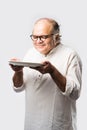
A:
(25, 64)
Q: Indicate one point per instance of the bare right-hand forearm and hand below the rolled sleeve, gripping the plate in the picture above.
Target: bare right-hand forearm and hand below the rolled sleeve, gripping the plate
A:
(58, 78)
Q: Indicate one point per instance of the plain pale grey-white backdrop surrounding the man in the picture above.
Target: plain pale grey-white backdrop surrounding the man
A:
(16, 21)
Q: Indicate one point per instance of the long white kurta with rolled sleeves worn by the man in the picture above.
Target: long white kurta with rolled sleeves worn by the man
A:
(47, 108)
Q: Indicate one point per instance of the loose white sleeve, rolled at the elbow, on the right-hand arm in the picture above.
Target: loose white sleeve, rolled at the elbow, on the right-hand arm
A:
(73, 77)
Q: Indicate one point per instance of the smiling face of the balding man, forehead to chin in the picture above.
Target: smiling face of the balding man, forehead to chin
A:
(43, 44)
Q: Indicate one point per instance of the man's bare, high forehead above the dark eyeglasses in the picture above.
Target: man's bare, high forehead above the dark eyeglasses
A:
(42, 27)
